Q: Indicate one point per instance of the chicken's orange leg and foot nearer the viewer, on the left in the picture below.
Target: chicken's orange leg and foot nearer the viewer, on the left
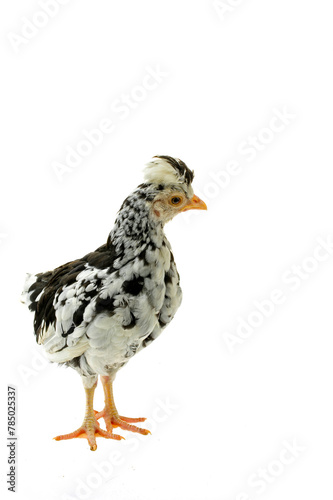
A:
(90, 428)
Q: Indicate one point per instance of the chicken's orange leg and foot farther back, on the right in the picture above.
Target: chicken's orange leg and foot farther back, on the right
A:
(110, 414)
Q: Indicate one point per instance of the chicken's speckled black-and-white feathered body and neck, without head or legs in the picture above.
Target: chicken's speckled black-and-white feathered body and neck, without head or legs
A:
(95, 313)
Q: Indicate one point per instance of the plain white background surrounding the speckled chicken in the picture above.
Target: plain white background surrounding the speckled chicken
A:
(224, 75)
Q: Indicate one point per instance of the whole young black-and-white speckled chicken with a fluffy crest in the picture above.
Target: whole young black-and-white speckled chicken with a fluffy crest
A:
(95, 313)
